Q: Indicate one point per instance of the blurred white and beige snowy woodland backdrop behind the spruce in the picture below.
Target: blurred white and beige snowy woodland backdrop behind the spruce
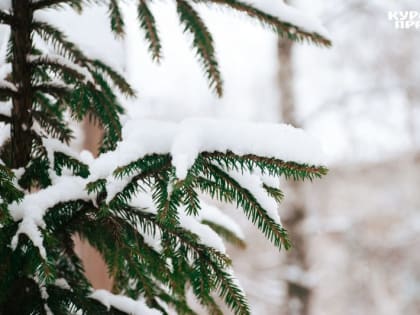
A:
(360, 99)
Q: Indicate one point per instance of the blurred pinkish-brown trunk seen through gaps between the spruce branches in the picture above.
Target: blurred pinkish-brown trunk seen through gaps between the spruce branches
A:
(95, 267)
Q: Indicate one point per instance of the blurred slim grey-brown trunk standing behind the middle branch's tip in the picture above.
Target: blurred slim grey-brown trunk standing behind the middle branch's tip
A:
(298, 295)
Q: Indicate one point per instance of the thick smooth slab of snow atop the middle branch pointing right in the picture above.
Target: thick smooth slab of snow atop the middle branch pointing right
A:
(190, 137)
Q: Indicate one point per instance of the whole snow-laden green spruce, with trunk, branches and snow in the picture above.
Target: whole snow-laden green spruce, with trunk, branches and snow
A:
(144, 202)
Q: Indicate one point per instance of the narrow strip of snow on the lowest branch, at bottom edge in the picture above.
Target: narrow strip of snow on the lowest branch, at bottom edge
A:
(122, 303)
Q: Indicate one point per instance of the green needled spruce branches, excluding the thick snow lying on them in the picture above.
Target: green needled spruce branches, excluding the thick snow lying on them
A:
(42, 89)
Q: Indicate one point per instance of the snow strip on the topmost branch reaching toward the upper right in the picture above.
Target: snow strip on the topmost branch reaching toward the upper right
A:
(286, 13)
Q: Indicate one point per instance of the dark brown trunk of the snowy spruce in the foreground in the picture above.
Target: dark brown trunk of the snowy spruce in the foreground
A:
(22, 102)
